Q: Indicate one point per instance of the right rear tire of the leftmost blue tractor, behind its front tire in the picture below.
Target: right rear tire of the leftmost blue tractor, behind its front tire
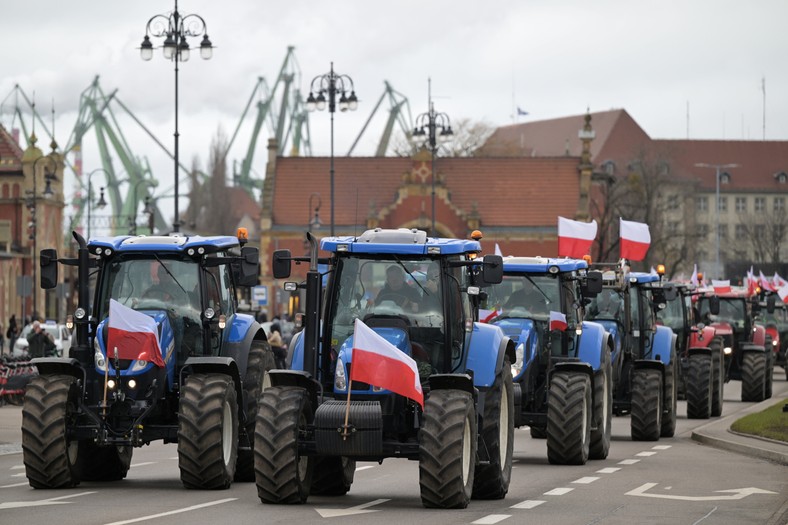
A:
(261, 360)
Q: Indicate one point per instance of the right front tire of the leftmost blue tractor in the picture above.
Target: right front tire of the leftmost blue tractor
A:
(208, 431)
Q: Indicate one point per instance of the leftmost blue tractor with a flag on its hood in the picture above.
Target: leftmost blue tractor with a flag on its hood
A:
(86, 412)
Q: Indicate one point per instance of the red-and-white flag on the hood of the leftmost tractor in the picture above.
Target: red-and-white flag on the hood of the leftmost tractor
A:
(134, 334)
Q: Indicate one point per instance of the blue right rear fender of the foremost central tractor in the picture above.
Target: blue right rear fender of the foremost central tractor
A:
(487, 348)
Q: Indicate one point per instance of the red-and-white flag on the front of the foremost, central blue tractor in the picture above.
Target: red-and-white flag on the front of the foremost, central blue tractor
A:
(379, 363)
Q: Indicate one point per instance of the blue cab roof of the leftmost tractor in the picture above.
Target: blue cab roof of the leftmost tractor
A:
(162, 243)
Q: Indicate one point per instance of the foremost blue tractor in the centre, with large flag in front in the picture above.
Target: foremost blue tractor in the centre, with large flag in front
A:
(418, 294)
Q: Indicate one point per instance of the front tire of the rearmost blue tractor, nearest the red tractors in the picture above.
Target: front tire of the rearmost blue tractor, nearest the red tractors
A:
(646, 405)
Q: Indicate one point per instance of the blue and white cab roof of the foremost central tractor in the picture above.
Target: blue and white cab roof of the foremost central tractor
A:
(400, 241)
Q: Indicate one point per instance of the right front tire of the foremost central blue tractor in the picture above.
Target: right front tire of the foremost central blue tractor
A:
(447, 450)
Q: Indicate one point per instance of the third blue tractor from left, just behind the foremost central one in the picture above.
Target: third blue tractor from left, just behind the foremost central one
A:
(562, 370)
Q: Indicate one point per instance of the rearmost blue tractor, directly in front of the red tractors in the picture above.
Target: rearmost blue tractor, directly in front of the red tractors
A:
(645, 374)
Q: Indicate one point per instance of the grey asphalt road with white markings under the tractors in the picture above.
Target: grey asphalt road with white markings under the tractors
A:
(674, 480)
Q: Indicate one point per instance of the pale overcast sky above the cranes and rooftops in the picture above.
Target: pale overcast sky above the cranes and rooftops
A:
(680, 68)
